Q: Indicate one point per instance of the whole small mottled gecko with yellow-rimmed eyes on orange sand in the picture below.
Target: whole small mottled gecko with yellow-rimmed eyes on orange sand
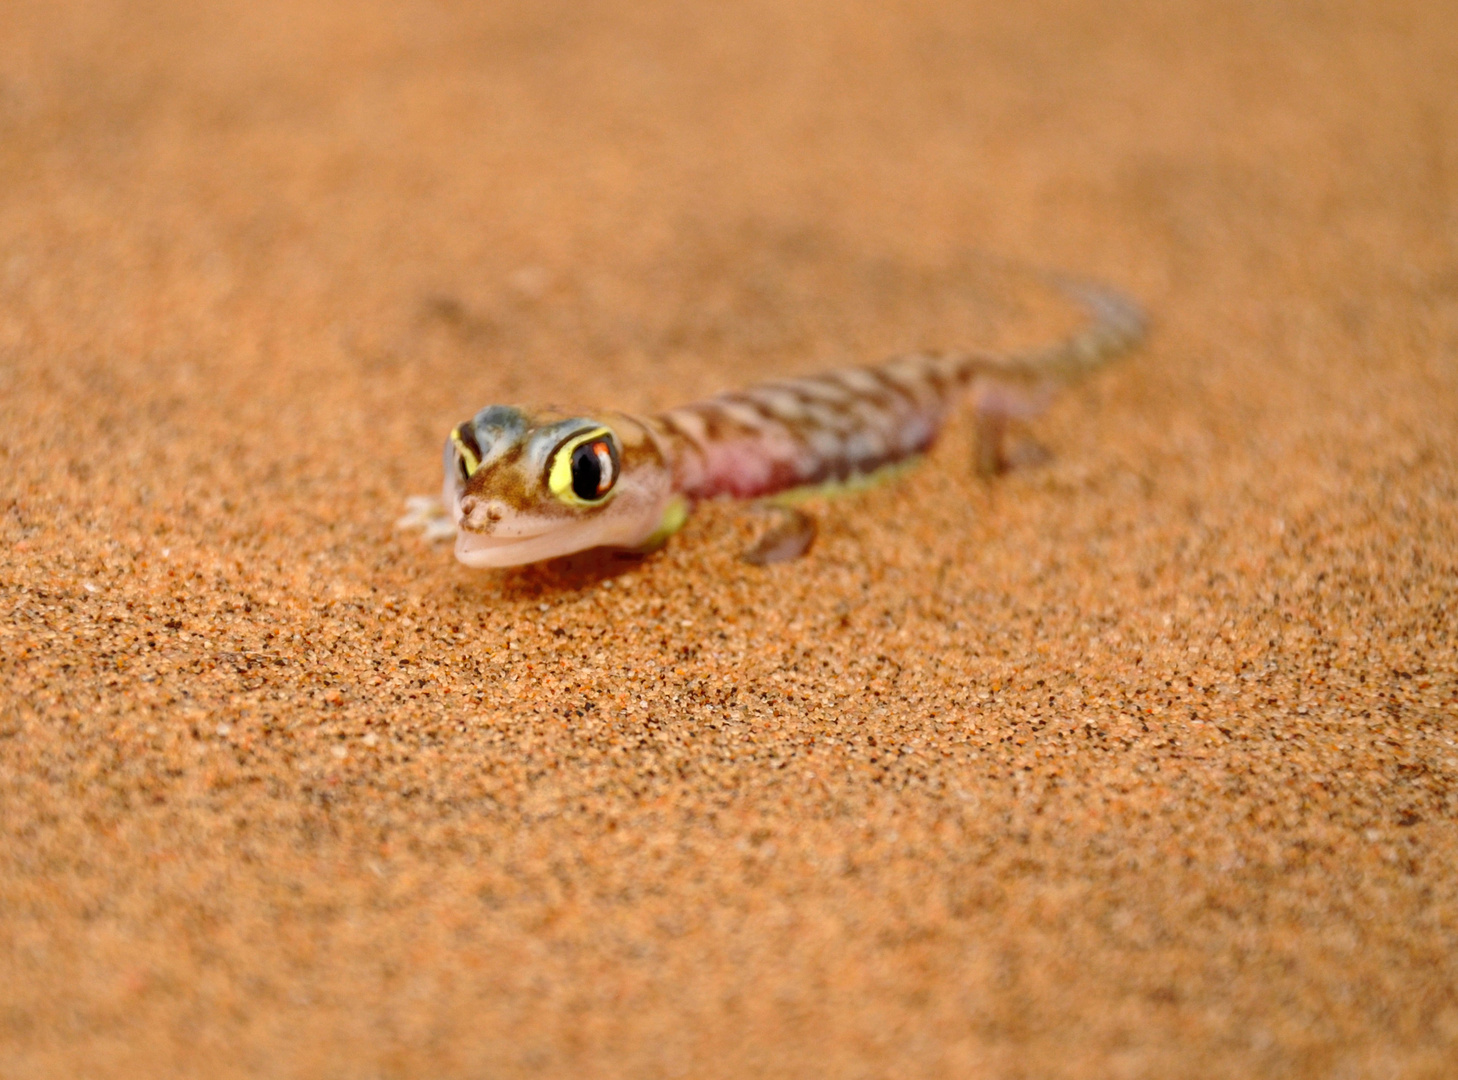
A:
(530, 485)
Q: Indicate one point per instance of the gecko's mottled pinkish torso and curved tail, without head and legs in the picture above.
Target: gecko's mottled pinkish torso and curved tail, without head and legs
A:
(846, 425)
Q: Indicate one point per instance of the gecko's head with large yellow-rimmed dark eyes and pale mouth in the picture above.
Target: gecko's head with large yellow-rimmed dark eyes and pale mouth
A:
(527, 486)
